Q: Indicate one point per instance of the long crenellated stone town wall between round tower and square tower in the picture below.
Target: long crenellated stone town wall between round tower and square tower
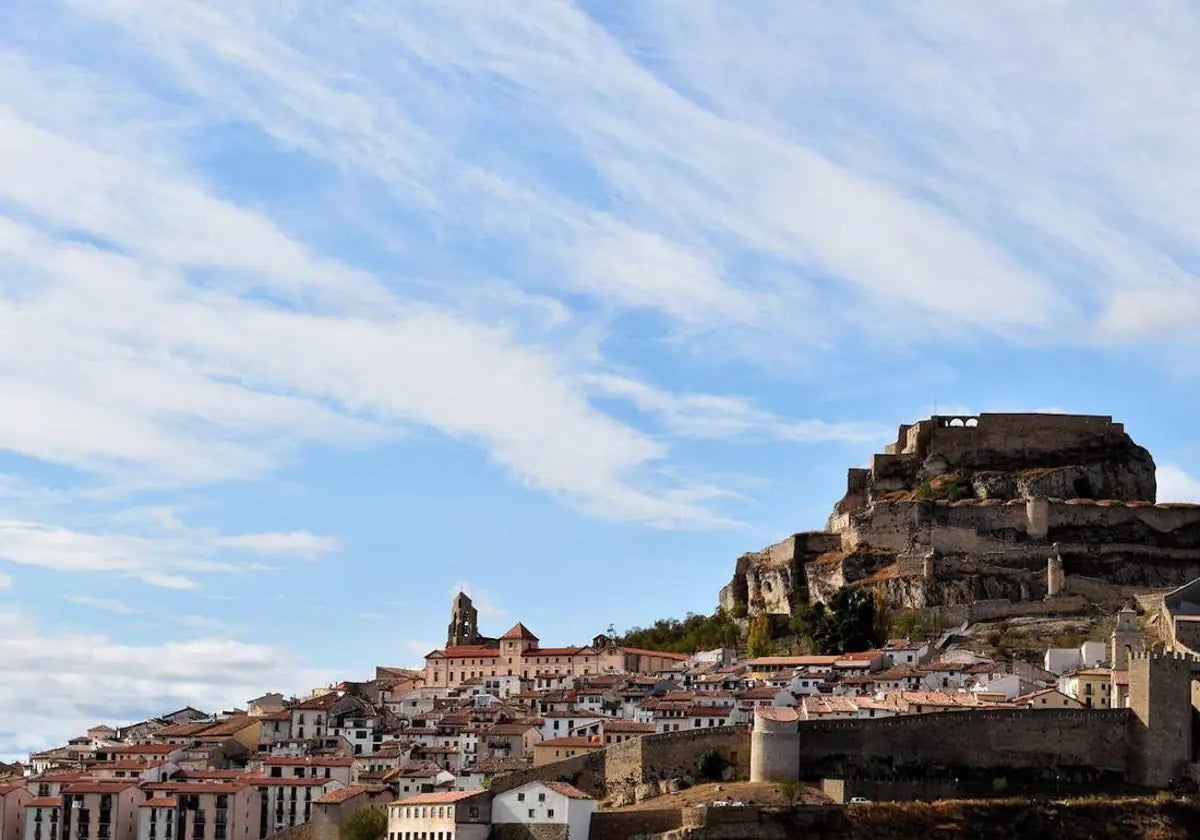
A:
(1148, 745)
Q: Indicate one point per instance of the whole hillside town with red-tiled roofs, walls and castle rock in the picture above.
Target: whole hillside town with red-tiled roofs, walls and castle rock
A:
(963, 519)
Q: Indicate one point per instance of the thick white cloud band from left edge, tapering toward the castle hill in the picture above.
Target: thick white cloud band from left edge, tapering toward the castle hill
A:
(206, 386)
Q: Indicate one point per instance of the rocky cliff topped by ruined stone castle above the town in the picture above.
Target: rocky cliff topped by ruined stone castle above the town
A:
(970, 509)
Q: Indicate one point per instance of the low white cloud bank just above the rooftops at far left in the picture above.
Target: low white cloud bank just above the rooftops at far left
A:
(82, 681)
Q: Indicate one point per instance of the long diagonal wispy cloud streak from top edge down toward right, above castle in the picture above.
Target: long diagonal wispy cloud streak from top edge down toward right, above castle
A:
(693, 184)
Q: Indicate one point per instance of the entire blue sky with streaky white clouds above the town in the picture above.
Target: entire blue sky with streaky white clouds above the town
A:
(314, 313)
